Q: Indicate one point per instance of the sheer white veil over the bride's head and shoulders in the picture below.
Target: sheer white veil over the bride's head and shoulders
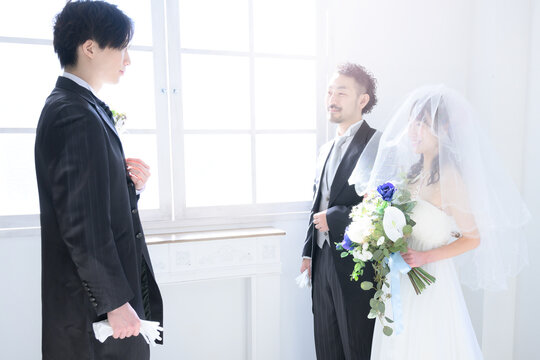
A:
(466, 180)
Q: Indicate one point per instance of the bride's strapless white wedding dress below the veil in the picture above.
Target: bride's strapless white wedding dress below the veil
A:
(436, 323)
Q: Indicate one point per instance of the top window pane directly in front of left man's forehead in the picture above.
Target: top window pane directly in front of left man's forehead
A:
(140, 11)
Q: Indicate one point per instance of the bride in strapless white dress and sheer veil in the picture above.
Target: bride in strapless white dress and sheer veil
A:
(468, 217)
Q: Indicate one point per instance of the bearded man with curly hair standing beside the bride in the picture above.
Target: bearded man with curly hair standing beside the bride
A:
(340, 306)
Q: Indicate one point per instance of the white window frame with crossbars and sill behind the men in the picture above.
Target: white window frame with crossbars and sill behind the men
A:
(167, 51)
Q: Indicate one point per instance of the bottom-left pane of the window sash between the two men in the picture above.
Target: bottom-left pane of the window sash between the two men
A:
(218, 170)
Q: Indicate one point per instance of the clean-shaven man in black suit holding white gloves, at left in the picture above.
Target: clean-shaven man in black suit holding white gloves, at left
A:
(95, 262)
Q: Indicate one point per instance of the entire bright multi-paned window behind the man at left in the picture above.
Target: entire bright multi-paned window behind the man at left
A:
(221, 100)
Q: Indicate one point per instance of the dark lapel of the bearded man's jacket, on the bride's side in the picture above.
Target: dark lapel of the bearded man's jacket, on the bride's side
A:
(349, 160)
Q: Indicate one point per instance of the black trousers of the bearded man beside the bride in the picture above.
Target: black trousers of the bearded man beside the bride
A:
(339, 333)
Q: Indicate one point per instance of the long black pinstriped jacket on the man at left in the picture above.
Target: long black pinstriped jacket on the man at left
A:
(93, 247)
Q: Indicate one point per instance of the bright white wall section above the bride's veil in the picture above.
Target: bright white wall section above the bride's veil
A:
(405, 44)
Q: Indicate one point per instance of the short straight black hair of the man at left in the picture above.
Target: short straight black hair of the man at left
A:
(85, 20)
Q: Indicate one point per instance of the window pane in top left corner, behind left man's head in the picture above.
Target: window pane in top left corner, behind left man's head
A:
(29, 18)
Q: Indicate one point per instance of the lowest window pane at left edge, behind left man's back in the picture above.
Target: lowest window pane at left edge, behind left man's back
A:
(18, 186)
